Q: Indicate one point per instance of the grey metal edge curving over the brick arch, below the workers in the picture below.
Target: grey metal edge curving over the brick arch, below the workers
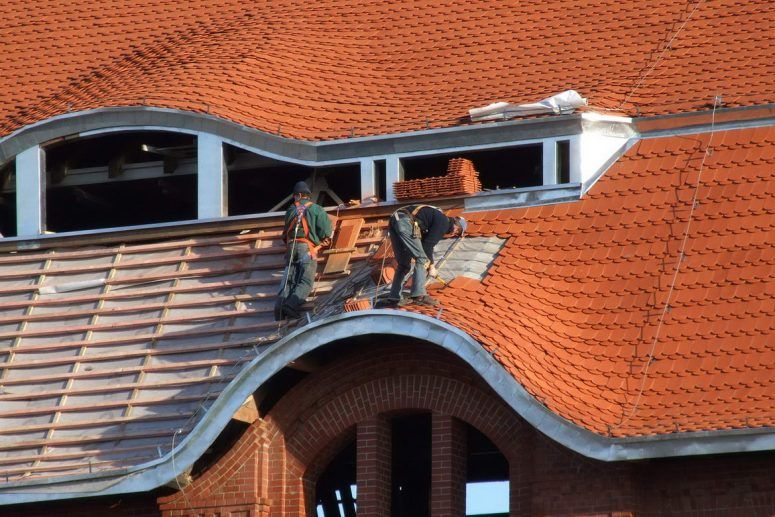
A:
(397, 323)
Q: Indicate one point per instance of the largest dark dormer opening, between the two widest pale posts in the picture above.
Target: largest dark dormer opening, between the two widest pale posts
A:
(120, 179)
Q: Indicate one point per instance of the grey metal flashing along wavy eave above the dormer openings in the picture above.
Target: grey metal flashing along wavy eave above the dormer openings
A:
(93, 122)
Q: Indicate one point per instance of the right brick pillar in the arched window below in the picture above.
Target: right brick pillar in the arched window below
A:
(448, 466)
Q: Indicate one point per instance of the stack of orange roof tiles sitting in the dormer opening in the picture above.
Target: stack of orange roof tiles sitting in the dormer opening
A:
(461, 178)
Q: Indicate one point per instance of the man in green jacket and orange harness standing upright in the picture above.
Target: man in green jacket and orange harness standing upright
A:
(307, 229)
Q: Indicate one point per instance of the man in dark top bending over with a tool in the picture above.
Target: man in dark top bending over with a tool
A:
(414, 231)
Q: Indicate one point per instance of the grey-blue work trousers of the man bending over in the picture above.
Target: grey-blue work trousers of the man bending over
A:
(407, 248)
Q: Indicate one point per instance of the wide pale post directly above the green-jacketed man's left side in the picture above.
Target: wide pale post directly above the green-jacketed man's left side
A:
(212, 181)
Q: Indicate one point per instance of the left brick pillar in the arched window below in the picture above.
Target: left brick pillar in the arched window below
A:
(373, 467)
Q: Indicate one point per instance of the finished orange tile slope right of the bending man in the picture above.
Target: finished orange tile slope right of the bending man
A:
(575, 304)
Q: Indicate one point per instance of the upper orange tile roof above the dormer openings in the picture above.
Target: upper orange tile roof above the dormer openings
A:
(340, 68)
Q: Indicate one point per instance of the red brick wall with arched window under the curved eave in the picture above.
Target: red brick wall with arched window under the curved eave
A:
(272, 469)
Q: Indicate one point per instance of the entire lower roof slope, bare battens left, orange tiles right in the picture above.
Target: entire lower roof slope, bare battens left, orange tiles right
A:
(109, 350)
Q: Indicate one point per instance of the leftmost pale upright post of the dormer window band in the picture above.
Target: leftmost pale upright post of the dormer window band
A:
(31, 192)
